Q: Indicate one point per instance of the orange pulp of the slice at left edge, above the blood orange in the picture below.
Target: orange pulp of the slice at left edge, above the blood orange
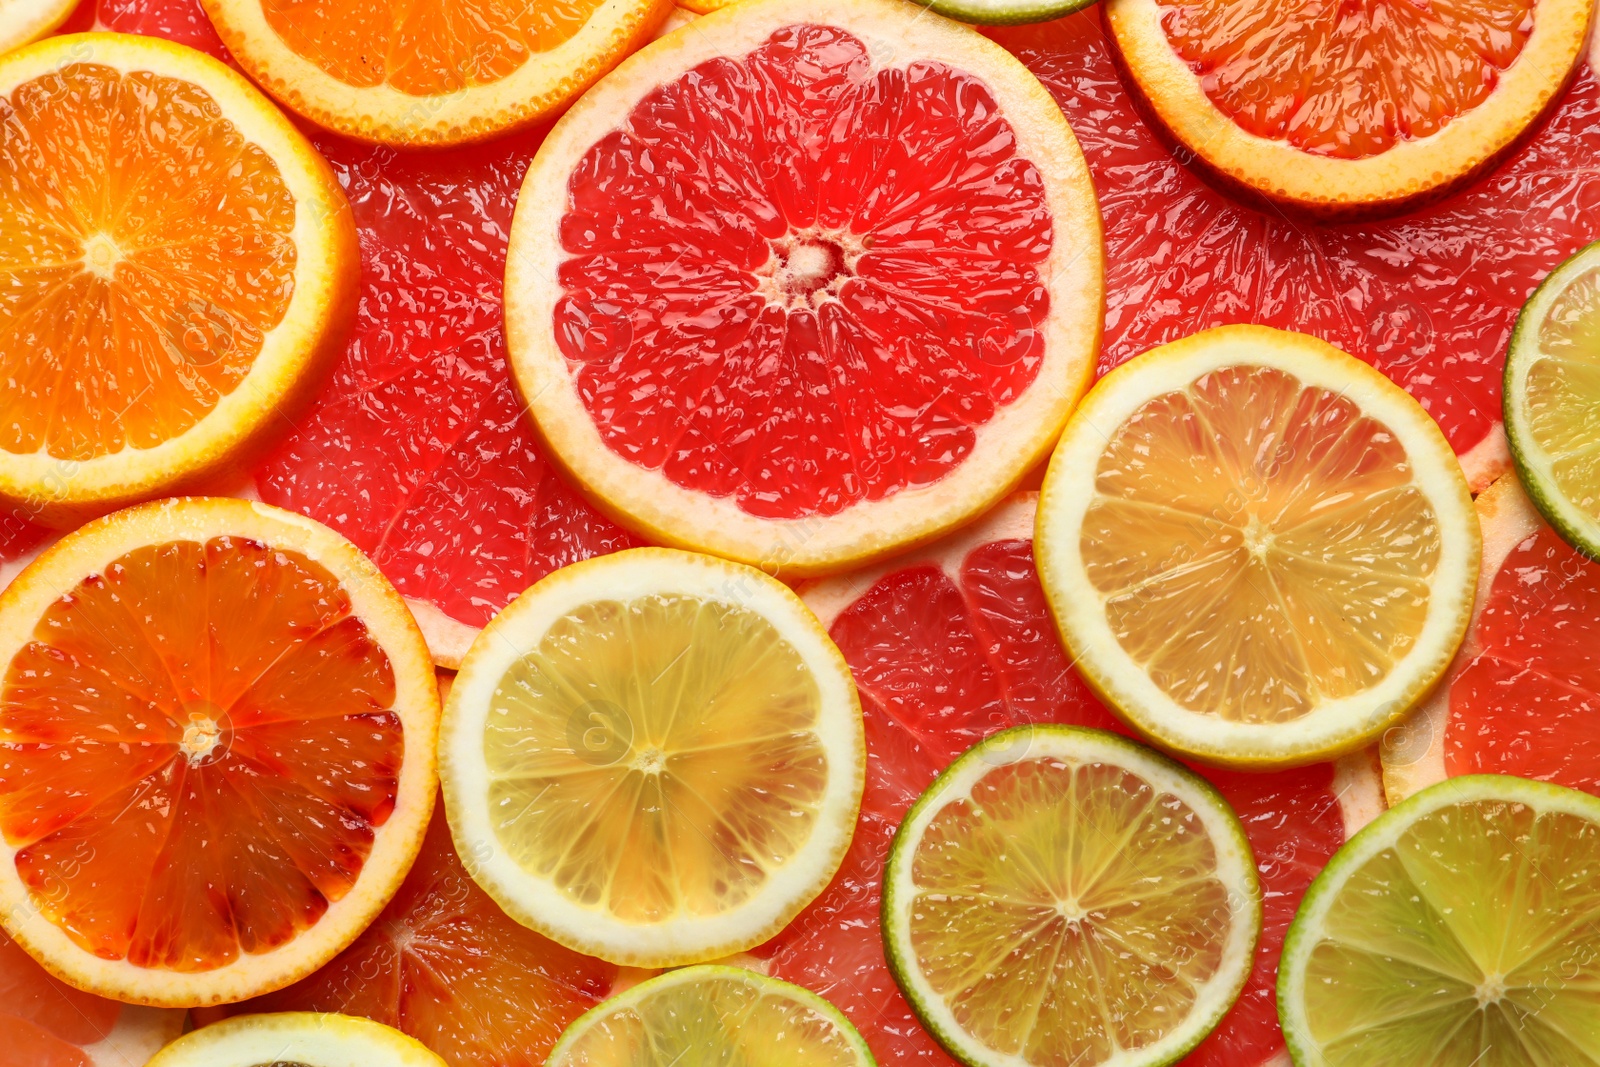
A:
(145, 254)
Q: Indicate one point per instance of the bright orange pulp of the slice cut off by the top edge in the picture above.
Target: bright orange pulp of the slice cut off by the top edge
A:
(425, 49)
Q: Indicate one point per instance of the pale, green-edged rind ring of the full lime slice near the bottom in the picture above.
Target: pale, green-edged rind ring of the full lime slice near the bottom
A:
(1078, 746)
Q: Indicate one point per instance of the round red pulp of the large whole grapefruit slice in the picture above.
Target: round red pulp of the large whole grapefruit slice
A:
(866, 318)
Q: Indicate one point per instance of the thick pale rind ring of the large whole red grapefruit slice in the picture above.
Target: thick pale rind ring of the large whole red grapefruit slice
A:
(1020, 436)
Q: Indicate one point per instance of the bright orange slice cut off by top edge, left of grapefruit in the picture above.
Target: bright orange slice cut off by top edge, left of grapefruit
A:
(434, 73)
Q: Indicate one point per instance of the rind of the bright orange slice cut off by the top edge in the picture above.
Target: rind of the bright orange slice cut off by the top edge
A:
(383, 114)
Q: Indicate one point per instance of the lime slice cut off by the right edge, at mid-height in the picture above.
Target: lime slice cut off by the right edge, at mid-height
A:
(1553, 394)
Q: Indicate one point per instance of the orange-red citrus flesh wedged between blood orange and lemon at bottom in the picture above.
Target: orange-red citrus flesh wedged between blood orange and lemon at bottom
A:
(447, 965)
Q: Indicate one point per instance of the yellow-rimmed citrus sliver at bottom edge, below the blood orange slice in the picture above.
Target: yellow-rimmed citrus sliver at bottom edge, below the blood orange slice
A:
(297, 1041)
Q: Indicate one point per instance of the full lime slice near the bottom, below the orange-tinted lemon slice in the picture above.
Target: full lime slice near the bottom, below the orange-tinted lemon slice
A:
(1068, 897)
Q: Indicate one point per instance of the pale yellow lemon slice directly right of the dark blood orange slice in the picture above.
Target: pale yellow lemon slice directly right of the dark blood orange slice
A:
(654, 757)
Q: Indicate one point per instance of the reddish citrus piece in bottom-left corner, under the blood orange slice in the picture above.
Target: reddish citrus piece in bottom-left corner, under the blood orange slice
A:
(46, 1023)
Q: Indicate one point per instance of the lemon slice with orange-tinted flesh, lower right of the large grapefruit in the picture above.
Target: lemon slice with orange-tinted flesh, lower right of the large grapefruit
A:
(1258, 549)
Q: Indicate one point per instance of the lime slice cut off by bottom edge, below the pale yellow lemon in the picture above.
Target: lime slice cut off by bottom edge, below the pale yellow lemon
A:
(713, 1015)
